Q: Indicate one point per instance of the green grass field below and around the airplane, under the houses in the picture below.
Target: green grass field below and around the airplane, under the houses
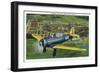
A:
(31, 54)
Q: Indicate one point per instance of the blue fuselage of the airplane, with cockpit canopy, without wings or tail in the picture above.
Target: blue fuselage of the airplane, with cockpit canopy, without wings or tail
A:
(50, 40)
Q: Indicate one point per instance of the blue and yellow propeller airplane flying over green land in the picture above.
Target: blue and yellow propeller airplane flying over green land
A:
(55, 41)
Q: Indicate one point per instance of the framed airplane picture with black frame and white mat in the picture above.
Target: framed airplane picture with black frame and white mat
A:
(52, 36)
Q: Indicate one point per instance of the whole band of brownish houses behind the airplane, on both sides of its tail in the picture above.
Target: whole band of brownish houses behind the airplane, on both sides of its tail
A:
(44, 28)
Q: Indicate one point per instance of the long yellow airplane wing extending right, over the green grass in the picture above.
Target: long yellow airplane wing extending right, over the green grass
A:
(68, 48)
